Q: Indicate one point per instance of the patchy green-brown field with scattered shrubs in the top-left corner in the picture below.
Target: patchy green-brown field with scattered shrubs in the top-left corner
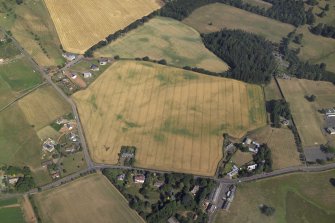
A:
(32, 26)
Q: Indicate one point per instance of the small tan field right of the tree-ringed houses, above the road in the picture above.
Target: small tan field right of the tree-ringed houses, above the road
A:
(282, 145)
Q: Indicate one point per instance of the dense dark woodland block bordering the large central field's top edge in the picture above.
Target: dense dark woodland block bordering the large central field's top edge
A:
(249, 56)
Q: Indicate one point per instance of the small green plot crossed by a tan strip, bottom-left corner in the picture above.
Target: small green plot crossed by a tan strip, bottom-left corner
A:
(10, 211)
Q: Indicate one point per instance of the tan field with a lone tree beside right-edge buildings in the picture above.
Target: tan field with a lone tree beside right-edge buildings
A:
(308, 120)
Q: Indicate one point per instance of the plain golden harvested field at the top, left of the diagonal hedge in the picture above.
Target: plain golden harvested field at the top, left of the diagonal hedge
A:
(82, 23)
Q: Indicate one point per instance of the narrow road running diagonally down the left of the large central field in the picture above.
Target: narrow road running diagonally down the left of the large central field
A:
(68, 99)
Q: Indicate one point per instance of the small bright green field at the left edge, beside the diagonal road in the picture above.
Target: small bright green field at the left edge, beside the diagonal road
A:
(19, 75)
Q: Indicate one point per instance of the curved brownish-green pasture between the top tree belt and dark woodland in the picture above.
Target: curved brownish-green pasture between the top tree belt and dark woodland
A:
(214, 17)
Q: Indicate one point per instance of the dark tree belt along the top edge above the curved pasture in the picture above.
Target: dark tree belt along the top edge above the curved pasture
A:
(288, 11)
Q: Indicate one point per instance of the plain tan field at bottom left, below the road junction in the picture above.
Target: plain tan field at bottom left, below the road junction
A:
(88, 199)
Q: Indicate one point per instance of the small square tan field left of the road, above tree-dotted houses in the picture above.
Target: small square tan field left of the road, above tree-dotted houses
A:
(43, 106)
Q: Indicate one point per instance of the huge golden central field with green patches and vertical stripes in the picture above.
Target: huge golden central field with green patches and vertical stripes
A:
(174, 117)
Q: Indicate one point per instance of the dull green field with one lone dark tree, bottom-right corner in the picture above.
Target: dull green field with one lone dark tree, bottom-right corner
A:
(297, 198)
